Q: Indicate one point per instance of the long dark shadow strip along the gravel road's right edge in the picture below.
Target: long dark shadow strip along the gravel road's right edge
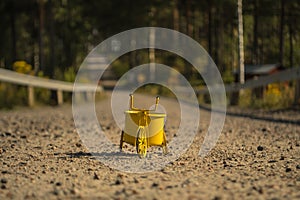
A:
(257, 117)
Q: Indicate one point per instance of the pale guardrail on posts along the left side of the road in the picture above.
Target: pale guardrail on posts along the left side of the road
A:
(33, 81)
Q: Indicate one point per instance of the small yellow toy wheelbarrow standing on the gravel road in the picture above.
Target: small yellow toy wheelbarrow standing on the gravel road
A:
(144, 128)
